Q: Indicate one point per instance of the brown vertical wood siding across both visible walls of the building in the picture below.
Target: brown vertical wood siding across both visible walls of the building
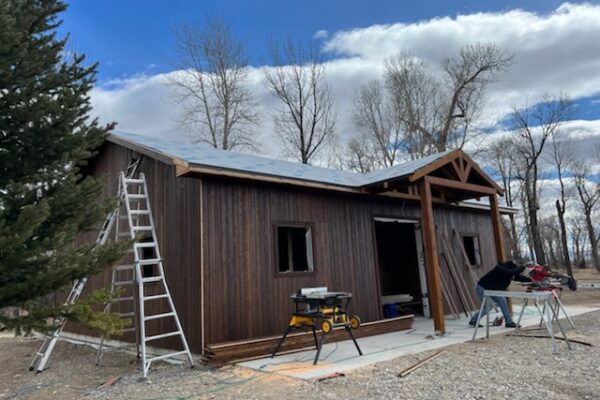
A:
(245, 297)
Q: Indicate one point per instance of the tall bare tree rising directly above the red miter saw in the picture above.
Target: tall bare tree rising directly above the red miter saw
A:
(533, 126)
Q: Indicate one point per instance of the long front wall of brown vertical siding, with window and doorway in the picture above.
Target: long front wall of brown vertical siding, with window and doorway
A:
(245, 296)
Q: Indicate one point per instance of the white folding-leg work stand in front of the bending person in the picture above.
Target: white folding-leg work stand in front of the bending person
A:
(549, 313)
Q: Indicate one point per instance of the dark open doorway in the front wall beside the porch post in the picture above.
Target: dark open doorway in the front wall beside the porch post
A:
(402, 280)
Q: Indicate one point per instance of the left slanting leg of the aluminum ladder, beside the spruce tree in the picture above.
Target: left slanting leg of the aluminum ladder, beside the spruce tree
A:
(45, 351)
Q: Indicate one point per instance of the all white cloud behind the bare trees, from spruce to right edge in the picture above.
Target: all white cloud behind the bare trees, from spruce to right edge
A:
(555, 52)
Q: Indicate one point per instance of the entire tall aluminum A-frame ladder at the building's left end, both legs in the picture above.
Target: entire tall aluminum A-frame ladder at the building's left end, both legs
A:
(143, 272)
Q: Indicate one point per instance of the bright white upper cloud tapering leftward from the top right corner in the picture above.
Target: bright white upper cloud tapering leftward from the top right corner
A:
(557, 52)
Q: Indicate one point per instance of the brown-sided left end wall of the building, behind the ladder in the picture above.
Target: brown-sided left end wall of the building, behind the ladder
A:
(175, 207)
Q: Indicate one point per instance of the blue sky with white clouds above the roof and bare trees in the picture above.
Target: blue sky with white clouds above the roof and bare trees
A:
(556, 47)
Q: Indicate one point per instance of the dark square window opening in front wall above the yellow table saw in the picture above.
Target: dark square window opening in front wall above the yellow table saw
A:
(294, 249)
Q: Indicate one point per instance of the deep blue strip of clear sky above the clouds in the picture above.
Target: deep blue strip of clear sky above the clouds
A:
(134, 36)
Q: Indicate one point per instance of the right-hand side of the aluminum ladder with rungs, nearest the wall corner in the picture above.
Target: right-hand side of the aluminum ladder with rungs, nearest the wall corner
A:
(144, 277)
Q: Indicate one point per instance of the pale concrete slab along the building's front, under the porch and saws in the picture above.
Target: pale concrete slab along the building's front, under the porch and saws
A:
(342, 356)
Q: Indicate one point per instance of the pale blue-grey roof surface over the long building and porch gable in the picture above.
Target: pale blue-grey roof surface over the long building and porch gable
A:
(205, 155)
